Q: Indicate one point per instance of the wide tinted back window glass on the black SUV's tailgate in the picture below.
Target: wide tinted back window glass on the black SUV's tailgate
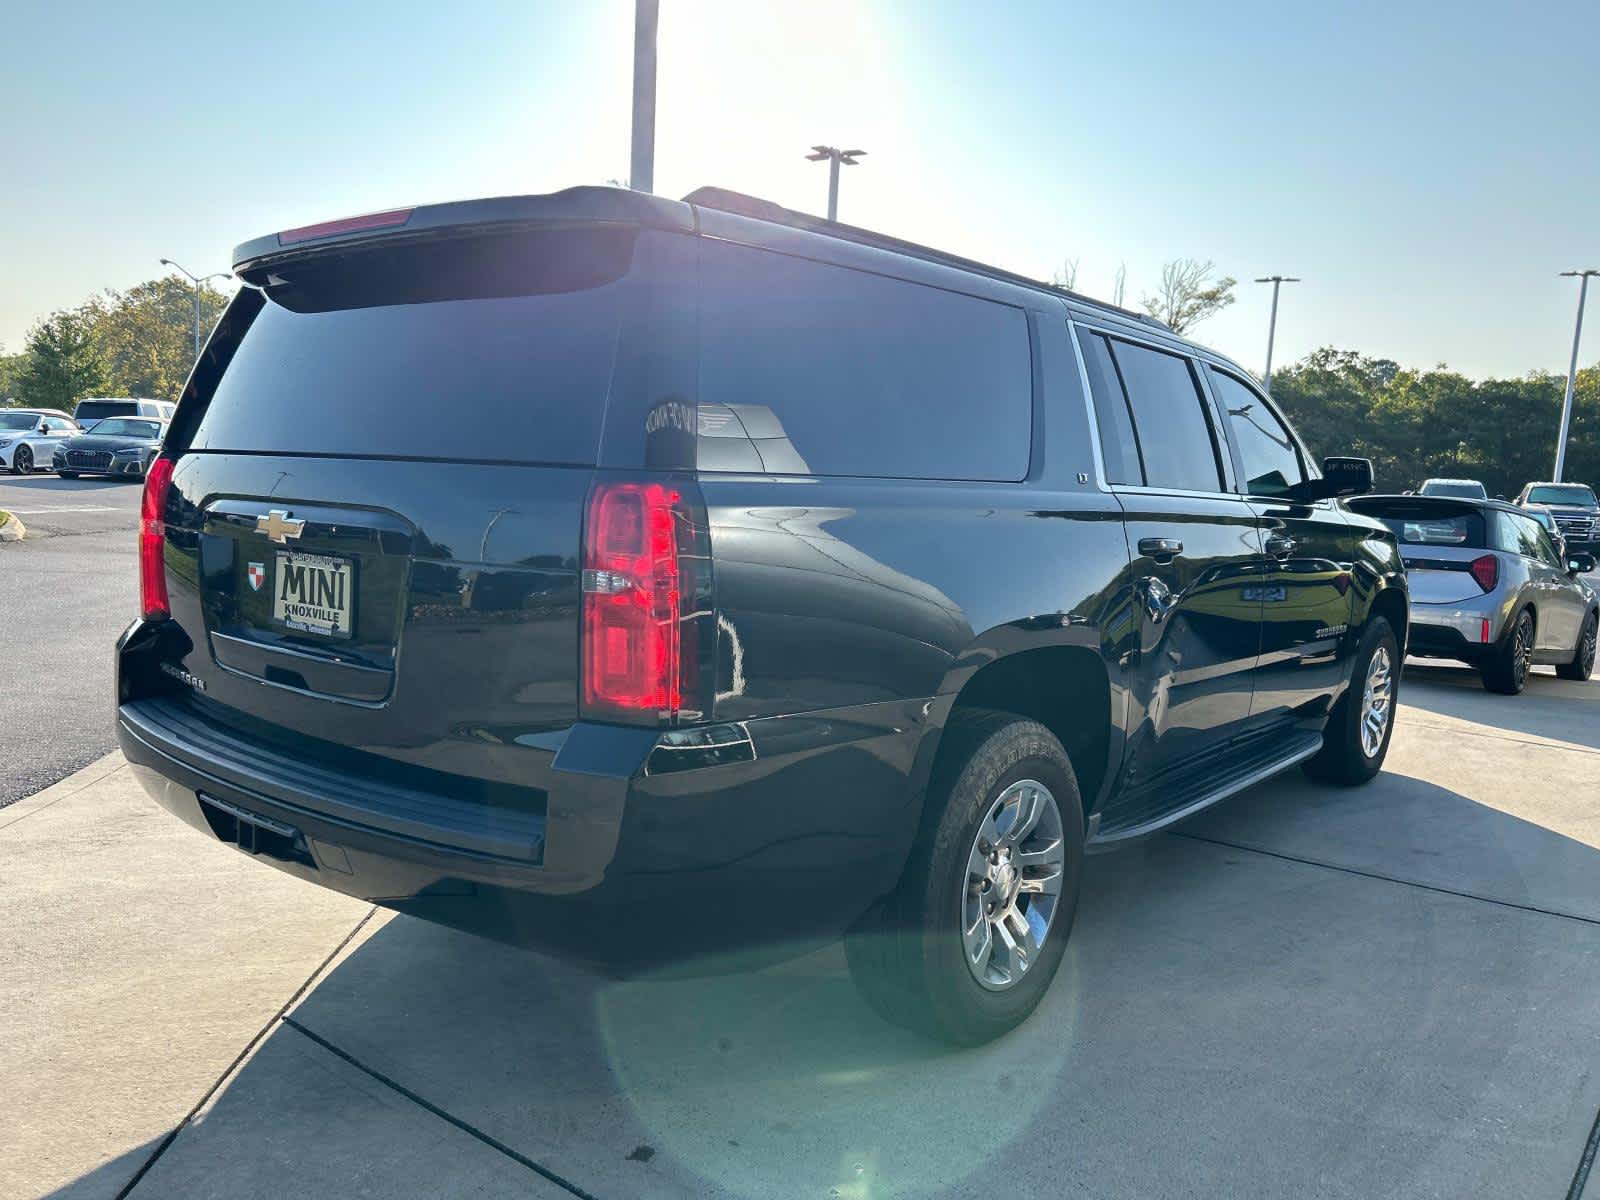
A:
(487, 348)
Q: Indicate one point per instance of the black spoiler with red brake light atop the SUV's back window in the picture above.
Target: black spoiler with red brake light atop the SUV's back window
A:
(574, 206)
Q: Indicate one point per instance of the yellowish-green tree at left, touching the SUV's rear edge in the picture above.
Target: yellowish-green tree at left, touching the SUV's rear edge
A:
(146, 335)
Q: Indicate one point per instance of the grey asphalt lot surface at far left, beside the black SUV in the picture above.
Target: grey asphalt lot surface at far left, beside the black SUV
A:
(66, 594)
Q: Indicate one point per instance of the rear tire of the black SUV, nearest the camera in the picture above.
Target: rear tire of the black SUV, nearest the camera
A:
(910, 954)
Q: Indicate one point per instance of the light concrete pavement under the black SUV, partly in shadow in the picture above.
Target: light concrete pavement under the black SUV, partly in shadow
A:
(1386, 993)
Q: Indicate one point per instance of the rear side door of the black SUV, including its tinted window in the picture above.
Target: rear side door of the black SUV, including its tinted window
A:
(1196, 548)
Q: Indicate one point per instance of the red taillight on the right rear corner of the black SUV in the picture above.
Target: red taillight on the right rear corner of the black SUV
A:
(631, 602)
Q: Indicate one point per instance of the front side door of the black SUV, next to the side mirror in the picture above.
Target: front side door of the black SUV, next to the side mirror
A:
(1310, 554)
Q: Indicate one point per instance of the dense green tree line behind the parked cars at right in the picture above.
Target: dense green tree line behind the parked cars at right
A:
(1415, 425)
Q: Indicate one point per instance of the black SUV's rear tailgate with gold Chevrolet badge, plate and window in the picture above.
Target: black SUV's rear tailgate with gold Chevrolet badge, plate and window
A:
(378, 505)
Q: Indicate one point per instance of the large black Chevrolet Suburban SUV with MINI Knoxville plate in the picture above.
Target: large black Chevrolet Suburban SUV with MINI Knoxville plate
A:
(644, 580)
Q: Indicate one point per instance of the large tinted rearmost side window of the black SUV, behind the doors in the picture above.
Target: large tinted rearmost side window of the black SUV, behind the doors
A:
(818, 370)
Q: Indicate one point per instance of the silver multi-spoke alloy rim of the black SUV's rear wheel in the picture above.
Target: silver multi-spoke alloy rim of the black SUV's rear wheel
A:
(1014, 884)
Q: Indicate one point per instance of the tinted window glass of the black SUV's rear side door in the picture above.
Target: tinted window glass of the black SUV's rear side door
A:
(1175, 438)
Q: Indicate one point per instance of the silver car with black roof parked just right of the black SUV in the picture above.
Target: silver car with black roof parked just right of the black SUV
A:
(1490, 588)
